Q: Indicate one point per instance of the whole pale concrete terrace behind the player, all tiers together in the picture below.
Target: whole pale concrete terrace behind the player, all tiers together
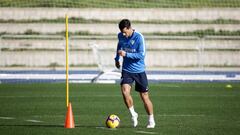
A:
(162, 52)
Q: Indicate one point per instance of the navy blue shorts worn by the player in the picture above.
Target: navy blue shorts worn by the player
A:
(140, 79)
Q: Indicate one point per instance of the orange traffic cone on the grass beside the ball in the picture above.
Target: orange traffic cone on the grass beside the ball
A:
(69, 122)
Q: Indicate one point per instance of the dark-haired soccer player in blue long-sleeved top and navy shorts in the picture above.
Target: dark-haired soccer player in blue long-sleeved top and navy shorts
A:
(131, 46)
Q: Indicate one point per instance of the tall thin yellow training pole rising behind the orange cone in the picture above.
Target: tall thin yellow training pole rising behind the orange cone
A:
(67, 86)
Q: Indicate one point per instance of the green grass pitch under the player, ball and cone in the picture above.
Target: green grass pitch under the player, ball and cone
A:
(180, 108)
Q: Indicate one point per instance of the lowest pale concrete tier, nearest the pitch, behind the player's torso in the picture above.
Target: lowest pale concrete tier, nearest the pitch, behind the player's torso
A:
(153, 58)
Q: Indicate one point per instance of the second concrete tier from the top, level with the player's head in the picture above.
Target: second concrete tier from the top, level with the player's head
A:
(45, 28)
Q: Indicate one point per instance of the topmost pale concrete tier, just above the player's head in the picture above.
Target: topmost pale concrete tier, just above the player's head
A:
(118, 14)
